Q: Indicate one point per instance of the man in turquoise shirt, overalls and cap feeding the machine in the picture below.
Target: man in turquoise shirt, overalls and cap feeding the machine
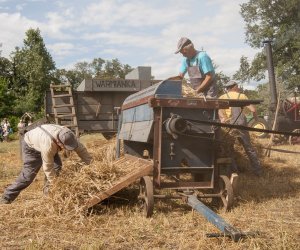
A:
(199, 67)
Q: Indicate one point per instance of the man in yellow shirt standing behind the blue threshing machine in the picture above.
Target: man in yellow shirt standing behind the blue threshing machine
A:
(234, 115)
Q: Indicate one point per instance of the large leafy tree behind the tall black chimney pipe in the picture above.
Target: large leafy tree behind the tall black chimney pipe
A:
(279, 21)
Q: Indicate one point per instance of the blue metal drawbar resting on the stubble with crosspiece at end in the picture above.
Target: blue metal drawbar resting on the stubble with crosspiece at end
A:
(216, 220)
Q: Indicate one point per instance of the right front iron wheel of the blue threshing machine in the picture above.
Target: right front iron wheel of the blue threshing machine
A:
(226, 192)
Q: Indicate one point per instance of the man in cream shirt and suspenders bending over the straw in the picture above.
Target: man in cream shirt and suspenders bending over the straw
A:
(40, 147)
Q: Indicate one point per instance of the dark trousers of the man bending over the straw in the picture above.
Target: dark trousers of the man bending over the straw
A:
(32, 162)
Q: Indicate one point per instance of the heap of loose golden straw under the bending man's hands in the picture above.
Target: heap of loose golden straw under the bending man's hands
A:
(78, 183)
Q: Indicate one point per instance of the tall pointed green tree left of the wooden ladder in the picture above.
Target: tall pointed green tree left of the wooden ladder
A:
(33, 72)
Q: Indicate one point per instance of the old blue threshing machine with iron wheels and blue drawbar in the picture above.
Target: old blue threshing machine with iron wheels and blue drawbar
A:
(159, 124)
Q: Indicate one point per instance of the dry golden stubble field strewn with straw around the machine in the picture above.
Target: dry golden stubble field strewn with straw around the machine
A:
(269, 204)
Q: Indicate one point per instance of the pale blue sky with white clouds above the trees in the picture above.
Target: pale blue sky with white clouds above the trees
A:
(137, 32)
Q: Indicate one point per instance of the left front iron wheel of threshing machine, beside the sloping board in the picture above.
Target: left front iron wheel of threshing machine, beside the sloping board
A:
(146, 195)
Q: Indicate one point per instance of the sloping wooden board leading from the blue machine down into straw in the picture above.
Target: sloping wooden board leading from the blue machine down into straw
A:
(145, 168)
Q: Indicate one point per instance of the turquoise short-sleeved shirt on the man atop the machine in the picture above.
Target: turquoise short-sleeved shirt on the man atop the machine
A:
(204, 61)
